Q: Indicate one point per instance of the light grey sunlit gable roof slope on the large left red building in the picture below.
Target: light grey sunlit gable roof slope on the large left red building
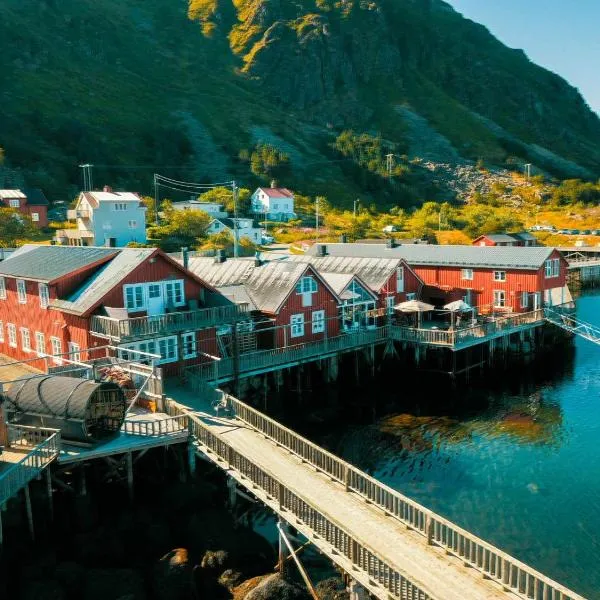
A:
(104, 280)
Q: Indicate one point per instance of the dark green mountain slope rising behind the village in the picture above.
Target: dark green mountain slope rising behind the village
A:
(217, 89)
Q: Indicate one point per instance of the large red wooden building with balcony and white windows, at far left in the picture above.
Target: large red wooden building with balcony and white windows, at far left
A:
(57, 301)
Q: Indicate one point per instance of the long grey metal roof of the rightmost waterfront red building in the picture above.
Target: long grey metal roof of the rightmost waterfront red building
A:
(509, 257)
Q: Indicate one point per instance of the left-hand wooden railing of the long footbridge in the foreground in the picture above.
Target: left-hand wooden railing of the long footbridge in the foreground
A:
(358, 554)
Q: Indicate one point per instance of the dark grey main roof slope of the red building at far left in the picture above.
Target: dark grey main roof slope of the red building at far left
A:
(47, 263)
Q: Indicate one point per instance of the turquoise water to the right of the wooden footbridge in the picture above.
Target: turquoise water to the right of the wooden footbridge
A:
(522, 473)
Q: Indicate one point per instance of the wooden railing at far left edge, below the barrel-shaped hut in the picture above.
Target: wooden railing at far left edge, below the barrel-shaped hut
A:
(43, 446)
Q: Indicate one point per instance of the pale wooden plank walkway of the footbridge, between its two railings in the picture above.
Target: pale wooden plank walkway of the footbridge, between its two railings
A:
(428, 567)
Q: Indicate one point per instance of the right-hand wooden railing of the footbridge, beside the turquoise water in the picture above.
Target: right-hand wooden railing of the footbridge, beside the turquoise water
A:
(521, 579)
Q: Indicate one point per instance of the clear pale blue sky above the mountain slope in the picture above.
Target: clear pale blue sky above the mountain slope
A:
(561, 35)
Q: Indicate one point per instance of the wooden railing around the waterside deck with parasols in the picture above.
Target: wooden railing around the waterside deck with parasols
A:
(464, 336)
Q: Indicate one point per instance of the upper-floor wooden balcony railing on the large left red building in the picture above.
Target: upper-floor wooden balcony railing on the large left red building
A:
(135, 328)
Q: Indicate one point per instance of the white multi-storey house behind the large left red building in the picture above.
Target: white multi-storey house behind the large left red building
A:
(105, 218)
